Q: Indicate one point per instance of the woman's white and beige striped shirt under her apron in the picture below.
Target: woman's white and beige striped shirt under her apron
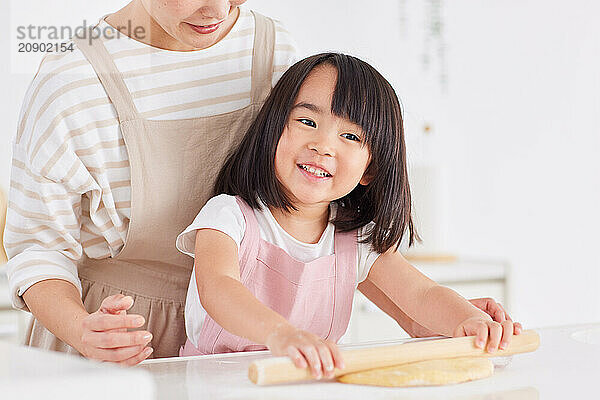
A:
(70, 187)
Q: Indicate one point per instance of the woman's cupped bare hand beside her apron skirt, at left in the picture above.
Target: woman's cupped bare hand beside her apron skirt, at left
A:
(105, 336)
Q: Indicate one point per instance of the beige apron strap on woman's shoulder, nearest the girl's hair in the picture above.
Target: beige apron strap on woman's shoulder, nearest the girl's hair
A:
(262, 57)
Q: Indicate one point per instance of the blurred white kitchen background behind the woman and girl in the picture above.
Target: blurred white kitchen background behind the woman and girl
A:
(502, 115)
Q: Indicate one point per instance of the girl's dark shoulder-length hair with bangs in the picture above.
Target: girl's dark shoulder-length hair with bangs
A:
(365, 98)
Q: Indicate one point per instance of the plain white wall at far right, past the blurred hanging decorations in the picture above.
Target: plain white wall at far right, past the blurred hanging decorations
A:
(523, 127)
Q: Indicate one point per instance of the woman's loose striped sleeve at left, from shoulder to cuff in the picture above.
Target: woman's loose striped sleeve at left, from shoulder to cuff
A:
(43, 235)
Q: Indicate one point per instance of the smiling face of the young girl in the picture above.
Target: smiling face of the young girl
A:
(320, 157)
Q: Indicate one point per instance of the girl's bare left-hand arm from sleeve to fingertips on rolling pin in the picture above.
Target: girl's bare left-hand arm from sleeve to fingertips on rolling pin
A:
(238, 311)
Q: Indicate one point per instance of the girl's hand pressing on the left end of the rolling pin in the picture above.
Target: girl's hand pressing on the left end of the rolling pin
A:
(305, 349)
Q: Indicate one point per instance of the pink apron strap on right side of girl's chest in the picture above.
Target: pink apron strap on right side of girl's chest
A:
(346, 255)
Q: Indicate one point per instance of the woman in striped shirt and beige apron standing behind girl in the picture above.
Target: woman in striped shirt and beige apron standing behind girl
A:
(118, 146)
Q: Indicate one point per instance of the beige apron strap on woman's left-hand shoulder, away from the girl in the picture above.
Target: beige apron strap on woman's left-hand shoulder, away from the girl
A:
(110, 77)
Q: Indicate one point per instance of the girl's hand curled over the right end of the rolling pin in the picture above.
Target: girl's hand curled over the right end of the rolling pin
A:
(499, 334)
